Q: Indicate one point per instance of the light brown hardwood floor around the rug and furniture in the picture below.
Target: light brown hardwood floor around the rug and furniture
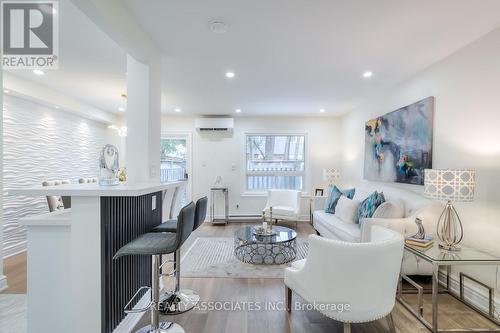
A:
(453, 314)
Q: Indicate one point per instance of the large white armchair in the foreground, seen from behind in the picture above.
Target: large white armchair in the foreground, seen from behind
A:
(363, 276)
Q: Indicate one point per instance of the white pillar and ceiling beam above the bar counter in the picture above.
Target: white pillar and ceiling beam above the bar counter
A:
(114, 19)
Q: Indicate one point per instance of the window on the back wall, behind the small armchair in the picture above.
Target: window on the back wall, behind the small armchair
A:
(275, 161)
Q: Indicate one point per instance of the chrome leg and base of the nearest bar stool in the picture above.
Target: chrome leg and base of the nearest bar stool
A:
(156, 326)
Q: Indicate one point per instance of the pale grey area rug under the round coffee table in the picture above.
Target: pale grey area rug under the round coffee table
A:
(214, 257)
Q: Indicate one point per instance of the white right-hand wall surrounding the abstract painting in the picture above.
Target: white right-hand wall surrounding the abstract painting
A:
(466, 131)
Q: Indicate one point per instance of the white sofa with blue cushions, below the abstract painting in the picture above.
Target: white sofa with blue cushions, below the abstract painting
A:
(414, 204)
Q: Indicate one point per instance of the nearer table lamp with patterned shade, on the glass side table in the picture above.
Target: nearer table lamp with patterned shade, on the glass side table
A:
(452, 186)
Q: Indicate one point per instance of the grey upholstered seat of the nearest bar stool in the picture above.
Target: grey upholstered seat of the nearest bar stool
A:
(152, 243)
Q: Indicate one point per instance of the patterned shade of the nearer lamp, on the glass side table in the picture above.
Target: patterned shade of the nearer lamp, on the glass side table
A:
(449, 184)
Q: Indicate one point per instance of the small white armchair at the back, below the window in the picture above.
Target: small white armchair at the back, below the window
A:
(285, 204)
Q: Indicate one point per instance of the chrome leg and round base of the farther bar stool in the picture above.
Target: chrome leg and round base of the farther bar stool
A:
(178, 301)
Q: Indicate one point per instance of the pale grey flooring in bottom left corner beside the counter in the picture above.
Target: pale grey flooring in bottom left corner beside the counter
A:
(13, 309)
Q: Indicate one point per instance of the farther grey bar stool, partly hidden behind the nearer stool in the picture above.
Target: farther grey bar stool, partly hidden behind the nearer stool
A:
(180, 301)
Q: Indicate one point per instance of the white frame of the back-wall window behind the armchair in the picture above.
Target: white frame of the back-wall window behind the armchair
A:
(305, 173)
